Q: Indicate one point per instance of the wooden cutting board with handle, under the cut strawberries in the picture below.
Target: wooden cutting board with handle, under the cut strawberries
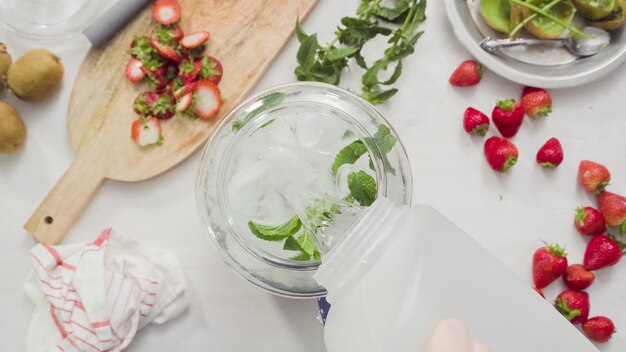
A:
(246, 35)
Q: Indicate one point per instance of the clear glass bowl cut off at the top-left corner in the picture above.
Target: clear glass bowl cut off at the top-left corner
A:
(48, 19)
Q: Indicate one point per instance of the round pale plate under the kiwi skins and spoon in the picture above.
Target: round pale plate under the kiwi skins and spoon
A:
(539, 66)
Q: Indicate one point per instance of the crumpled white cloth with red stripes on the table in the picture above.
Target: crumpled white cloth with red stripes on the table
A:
(96, 296)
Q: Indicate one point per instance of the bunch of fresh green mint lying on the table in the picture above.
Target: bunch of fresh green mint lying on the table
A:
(326, 63)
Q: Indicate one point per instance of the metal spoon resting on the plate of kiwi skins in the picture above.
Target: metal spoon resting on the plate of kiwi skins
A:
(578, 46)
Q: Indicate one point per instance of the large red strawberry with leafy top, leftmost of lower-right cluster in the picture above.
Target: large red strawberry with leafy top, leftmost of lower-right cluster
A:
(549, 263)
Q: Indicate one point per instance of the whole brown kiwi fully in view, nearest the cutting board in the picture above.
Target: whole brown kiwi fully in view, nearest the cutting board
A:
(36, 75)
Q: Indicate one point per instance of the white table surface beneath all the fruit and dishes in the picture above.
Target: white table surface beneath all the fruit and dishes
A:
(508, 214)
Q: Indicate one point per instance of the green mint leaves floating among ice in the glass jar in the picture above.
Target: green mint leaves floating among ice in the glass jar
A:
(363, 190)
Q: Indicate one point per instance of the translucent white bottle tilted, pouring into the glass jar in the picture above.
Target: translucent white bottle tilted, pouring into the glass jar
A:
(398, 271)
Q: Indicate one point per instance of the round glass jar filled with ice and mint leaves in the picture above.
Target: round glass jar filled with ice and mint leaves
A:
(296, 155)
